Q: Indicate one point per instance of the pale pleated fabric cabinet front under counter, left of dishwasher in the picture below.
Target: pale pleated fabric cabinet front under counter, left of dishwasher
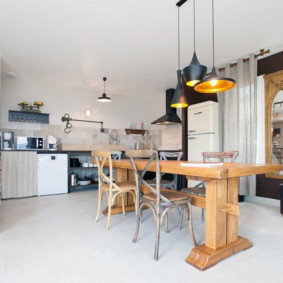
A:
(19, 174)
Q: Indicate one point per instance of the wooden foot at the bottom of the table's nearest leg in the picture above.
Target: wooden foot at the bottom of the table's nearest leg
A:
(203, 257)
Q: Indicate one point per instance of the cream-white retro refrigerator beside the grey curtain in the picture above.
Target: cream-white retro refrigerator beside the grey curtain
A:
(203, 130)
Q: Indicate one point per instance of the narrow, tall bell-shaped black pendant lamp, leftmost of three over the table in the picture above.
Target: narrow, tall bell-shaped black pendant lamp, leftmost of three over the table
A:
(179, 99)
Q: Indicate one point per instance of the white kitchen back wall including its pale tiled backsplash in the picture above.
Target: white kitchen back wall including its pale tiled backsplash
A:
(60, 98)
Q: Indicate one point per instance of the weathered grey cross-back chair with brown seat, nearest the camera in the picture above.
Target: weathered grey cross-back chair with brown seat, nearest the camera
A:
(157, 198)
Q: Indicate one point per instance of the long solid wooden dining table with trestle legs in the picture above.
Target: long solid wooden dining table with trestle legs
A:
(221, 203)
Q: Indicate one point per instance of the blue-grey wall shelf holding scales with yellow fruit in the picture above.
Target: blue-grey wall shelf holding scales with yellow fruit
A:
(28, 117)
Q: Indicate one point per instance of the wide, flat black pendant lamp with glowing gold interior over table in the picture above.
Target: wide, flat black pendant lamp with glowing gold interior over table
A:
(214, 84)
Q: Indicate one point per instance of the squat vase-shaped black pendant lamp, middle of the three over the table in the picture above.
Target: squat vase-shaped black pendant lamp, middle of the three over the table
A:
(195, 72)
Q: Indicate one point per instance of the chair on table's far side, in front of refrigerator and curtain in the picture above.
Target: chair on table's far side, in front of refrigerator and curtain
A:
(199, 191)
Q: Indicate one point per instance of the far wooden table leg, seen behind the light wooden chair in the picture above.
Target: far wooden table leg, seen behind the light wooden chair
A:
(121, 175)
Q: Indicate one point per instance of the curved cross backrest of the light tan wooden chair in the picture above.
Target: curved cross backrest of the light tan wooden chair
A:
(101, 158)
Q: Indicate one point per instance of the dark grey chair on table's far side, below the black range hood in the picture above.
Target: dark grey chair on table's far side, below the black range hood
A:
(164, 183)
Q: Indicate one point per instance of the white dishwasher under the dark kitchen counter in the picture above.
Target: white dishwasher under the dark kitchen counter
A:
(52, 173)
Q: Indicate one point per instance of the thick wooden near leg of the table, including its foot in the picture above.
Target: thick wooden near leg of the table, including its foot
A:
(221, 226)
